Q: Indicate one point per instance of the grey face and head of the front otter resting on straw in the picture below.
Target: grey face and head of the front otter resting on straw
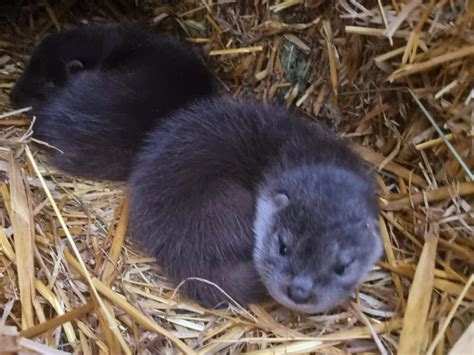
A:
(316, 236)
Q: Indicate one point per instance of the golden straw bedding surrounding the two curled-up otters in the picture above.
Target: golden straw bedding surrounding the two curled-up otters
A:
(394, 79)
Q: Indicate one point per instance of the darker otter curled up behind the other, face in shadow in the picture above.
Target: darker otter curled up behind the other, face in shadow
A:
(96, 90)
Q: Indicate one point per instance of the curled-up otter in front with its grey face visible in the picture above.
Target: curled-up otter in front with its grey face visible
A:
(258, 201)
